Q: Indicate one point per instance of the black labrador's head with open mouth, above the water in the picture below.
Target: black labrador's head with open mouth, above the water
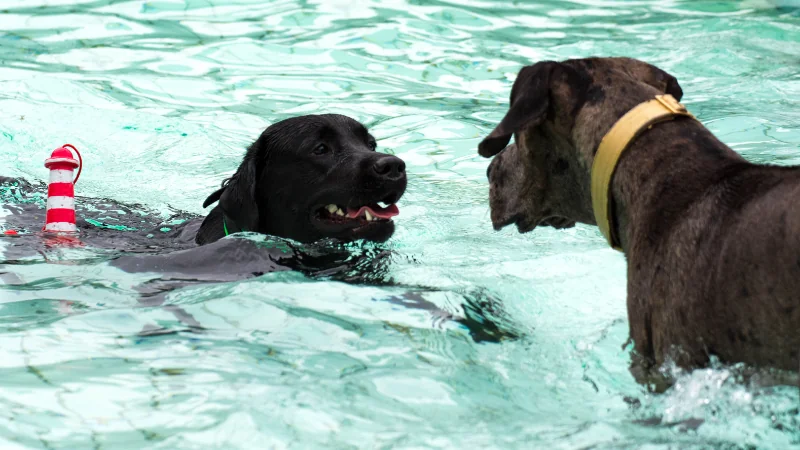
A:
(314, 177)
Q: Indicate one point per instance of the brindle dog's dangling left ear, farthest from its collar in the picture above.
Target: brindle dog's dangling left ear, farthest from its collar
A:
(530, 99)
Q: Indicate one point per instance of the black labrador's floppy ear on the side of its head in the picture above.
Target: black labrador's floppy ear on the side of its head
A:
(238, 198)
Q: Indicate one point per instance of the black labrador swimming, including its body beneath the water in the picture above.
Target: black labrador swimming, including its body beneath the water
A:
(311, 183)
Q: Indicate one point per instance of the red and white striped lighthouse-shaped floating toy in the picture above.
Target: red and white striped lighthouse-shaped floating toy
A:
(61, 190)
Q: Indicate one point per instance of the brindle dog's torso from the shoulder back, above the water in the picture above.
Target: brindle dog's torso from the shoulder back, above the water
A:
(725, 279)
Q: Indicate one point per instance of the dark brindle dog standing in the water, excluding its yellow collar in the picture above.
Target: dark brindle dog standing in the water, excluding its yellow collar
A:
(712, 241)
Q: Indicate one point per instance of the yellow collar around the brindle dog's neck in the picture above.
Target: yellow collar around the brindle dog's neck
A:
(628, 128)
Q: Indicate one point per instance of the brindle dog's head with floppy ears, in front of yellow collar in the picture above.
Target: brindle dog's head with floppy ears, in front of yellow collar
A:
(559, 113)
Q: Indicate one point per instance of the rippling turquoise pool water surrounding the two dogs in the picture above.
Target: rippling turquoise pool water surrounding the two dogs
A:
(163, 96)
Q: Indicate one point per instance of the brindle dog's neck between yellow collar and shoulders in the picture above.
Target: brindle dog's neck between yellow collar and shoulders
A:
(663, 172)
